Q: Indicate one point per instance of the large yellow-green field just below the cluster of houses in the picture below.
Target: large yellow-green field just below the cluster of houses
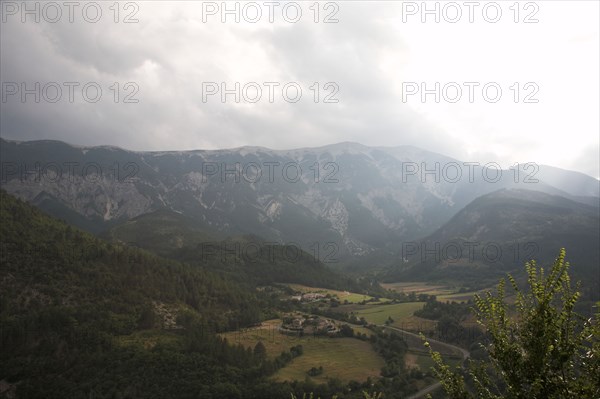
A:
(343, 358)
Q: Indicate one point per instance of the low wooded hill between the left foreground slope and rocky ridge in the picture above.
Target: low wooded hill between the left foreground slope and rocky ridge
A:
(248, 259)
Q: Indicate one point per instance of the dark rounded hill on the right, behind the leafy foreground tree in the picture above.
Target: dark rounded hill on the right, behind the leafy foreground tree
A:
(498, 232)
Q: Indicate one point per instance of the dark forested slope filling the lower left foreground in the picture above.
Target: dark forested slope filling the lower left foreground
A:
(84, 318)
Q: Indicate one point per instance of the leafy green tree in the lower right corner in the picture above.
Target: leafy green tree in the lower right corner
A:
(540, 348)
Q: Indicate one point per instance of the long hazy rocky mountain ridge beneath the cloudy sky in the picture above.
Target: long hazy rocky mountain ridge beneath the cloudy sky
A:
(359, 199)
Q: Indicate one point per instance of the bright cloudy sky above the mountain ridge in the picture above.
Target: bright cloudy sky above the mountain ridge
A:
(478, 81)
